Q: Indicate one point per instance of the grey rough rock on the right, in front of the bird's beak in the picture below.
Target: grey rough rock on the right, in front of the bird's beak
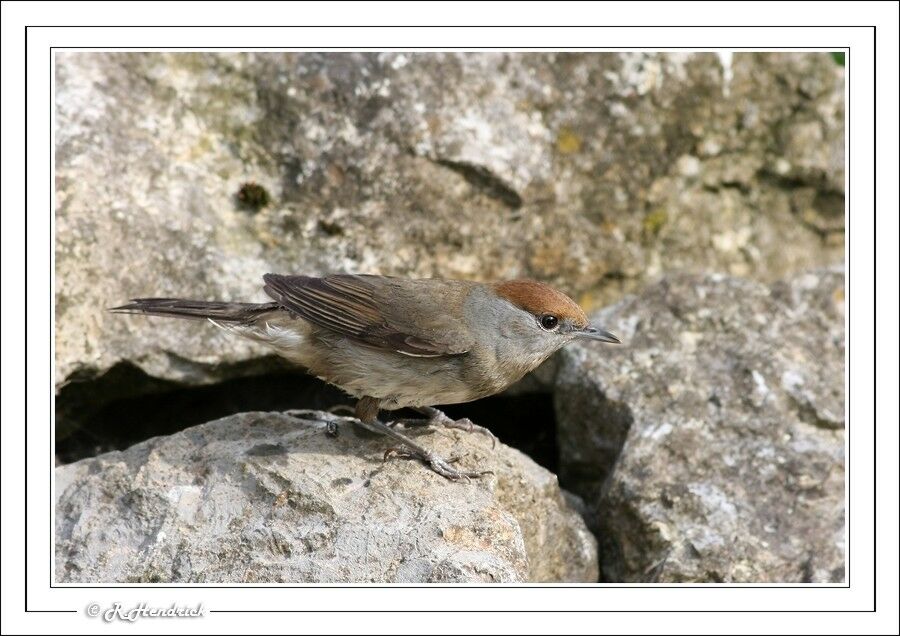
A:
(710, 445)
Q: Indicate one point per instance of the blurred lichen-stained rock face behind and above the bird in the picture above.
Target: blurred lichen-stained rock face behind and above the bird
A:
(595, 172)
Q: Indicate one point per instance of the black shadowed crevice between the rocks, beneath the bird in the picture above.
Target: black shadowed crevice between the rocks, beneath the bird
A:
(125, 406)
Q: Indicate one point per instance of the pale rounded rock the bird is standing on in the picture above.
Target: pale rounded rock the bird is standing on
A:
(263, 497)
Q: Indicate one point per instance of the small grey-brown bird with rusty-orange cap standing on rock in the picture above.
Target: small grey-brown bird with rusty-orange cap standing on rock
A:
(397, 343)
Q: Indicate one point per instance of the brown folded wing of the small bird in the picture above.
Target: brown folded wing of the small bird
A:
(408, 316)
